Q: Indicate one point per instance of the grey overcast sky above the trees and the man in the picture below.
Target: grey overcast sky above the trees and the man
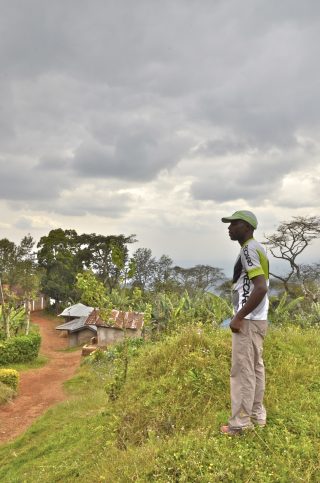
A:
(157, 118)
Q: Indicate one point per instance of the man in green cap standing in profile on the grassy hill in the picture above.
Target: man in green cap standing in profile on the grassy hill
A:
(248, 325)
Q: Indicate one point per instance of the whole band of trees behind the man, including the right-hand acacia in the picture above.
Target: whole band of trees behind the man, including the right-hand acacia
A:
(51, 266)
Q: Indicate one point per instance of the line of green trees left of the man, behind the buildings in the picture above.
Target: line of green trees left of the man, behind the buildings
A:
(53, 264)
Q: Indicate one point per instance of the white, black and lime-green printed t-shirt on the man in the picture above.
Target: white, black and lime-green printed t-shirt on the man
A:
(251, 262)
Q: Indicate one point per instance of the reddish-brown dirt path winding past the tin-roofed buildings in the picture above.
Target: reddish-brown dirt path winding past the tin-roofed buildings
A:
(39, 388)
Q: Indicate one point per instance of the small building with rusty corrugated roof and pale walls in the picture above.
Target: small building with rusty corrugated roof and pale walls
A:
(119, 322)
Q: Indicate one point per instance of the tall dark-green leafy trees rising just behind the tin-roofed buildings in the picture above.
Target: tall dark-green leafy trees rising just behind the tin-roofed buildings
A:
(63, 254)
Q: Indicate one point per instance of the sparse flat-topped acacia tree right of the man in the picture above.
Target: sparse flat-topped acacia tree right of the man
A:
(288, 242)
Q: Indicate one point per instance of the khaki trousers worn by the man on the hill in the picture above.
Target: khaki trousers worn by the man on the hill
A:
(247, 378)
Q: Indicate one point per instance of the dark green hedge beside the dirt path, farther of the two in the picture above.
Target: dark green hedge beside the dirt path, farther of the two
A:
(22, 348)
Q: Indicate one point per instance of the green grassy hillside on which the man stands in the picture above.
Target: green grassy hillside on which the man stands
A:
(162, 423)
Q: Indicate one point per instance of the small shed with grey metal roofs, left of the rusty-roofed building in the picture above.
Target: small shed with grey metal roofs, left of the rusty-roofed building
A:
(75, 326)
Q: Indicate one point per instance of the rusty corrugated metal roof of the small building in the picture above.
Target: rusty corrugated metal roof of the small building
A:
(118, 319)
